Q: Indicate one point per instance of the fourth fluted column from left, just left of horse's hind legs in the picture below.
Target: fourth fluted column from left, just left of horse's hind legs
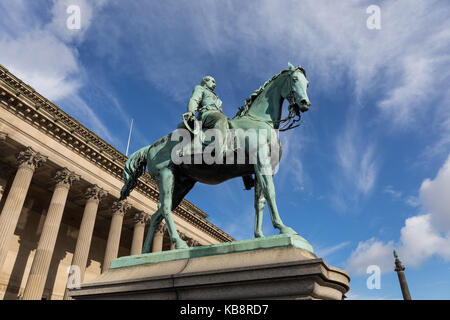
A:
(119, 209)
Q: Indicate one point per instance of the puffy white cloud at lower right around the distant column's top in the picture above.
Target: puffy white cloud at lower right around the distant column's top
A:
(422, 236)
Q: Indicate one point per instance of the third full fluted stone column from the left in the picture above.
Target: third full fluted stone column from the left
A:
(93, 196)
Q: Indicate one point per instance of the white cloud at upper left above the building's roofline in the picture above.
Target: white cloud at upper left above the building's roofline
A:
(41, 53)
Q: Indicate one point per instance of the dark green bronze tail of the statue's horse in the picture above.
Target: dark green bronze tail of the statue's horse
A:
(133, 169)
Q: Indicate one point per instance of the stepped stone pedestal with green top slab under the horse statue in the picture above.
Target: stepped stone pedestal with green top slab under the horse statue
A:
(277, 267)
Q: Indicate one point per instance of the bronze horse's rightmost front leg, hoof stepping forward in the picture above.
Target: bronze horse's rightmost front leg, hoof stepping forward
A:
(268, 190)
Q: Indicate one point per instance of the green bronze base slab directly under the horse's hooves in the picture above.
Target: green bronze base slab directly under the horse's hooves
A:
(213, 250)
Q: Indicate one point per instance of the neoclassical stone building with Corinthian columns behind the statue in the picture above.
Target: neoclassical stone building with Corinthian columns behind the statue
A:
(60, 217)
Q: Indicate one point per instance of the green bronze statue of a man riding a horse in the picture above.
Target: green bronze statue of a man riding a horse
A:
(170, 164)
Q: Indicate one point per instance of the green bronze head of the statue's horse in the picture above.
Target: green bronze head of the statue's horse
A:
(295, 89)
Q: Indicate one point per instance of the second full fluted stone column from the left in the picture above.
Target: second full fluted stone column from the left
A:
(44, 252)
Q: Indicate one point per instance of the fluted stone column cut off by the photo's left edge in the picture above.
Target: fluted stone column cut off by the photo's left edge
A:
(28, 161)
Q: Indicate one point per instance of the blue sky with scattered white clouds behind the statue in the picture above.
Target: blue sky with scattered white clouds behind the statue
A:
(369, 171)
